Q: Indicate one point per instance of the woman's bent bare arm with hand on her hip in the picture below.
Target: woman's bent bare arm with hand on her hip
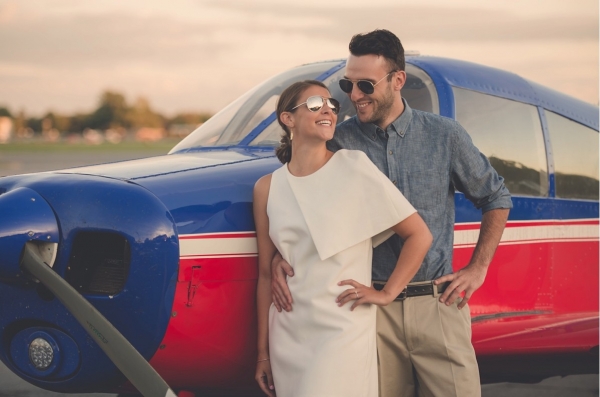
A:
(417, 240)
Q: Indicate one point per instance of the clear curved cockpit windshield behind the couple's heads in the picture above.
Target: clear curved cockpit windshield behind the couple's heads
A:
(232, 125)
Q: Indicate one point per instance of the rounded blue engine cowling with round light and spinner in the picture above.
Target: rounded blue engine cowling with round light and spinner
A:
(113, 244)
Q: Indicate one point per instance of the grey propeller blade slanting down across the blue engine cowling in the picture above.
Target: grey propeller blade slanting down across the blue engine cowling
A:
(117, 348)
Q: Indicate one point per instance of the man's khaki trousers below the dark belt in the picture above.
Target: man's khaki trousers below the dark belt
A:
(424, 349)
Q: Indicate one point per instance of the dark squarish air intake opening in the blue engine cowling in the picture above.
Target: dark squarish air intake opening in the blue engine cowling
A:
(99, 263)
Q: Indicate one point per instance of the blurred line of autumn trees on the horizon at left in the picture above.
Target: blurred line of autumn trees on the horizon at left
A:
(112, 112)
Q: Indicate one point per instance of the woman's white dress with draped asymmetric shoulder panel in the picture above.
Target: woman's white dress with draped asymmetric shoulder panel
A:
(325, 225)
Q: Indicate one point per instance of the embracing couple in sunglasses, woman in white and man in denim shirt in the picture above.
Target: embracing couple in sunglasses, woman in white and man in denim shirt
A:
(319, 216)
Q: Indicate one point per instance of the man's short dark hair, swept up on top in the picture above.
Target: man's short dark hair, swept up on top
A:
(379, 42)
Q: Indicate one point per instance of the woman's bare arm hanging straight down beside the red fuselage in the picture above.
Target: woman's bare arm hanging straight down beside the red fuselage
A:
(266, 250)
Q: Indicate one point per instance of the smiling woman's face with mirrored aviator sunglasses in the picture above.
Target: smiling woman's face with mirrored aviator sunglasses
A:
(318, 125)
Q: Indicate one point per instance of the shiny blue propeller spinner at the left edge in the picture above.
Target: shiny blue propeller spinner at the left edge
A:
(25, 216)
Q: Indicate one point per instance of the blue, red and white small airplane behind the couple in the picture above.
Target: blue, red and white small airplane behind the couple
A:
(164, 248)
